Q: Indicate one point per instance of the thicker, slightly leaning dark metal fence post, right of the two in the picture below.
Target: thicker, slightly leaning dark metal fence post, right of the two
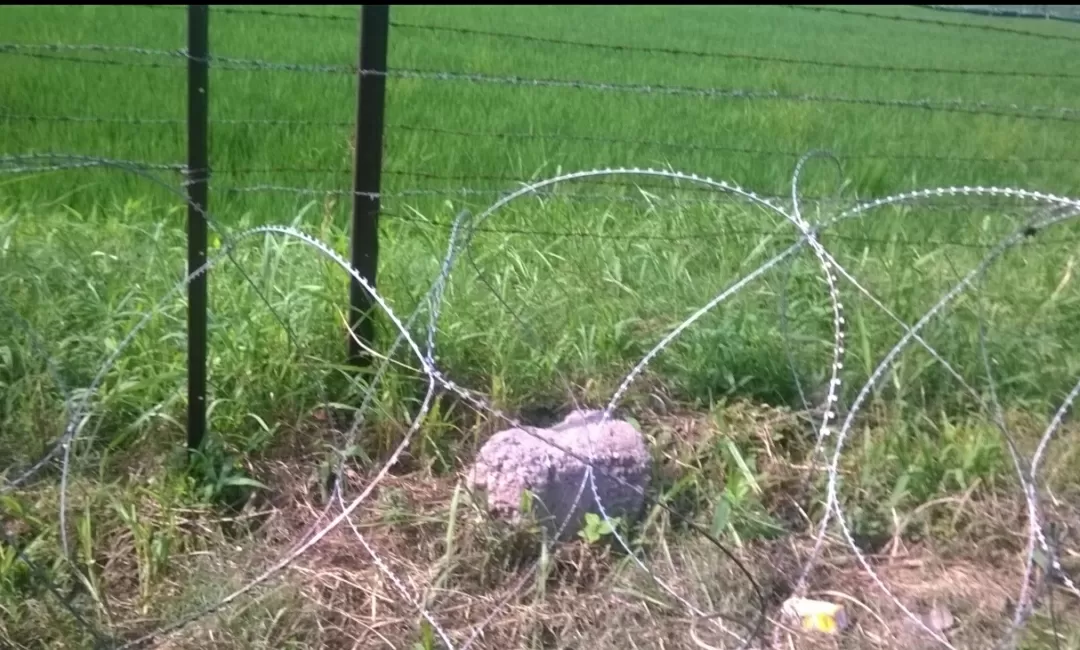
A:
(371, 96)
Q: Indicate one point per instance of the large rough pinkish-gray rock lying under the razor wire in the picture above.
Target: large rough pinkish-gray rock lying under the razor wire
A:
(516, 461)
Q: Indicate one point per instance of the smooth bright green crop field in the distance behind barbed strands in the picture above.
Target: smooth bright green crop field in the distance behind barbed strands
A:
(778, 130)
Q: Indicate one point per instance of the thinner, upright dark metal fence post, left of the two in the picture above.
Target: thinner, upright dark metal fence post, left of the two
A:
(198, 174)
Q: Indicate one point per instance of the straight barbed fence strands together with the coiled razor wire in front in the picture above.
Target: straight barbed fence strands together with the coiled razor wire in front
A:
(746, 630)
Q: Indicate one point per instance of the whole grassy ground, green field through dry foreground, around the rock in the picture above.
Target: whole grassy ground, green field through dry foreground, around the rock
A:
(556, 302)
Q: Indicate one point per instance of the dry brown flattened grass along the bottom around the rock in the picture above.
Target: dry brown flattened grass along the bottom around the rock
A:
(471, 572)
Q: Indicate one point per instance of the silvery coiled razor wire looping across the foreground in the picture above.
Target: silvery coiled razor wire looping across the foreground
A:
(79, 411)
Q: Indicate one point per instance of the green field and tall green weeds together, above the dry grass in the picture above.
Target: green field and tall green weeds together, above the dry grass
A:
(559, 293)
